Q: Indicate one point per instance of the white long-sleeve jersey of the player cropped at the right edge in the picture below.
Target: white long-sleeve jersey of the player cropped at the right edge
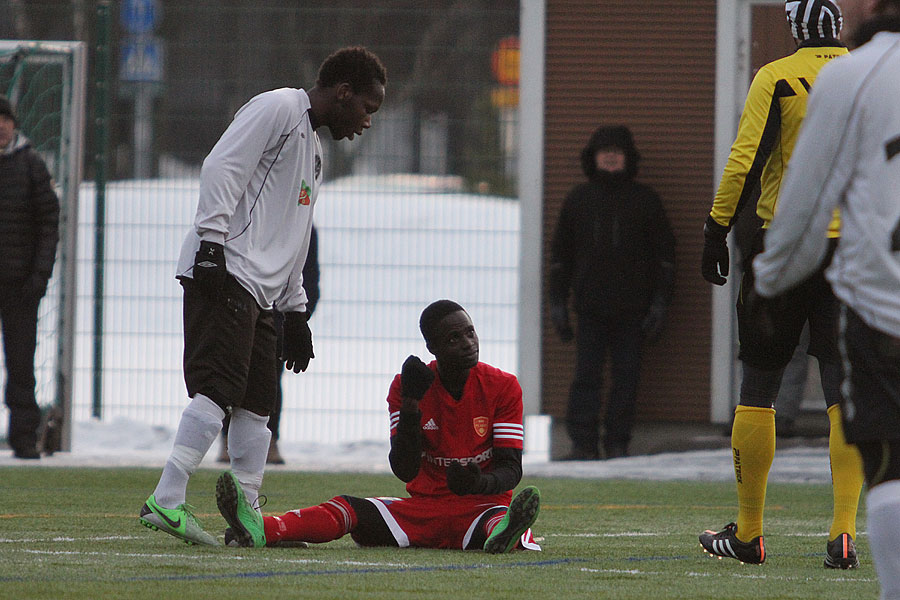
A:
(847, 155)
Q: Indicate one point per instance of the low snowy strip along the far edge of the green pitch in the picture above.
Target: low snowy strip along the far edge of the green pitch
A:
(126, 443)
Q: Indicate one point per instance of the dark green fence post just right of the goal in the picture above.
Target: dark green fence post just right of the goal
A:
(101, 129)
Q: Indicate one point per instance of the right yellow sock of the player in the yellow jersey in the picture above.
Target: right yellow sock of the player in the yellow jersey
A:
(846, 477)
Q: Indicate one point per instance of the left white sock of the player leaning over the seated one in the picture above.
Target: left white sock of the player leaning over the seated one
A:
(200, 423)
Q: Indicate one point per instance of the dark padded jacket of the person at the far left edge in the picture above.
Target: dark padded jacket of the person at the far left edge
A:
(29, 216)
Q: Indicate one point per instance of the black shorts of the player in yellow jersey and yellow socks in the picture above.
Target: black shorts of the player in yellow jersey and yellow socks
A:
(811, 301)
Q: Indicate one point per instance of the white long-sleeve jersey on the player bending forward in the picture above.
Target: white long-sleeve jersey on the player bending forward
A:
(258, 187)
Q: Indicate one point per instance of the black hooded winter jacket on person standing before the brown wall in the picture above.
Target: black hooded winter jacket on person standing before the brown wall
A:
(613, 246)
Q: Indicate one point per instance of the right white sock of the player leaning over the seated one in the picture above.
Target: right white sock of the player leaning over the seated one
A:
(248, 446)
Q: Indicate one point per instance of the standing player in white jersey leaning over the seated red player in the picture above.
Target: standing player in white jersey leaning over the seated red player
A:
(243, 258)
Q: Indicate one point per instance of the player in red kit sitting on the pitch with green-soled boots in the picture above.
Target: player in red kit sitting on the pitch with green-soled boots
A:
(456, 440)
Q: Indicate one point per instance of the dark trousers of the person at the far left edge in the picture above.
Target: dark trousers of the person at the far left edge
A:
(19, 319)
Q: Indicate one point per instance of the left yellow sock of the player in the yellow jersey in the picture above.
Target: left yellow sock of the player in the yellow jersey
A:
(753, 448)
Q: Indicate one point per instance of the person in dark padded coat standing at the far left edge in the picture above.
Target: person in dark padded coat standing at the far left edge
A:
(29, 232)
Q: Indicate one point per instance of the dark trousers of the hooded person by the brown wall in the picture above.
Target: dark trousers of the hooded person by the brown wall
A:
(594, 340)
